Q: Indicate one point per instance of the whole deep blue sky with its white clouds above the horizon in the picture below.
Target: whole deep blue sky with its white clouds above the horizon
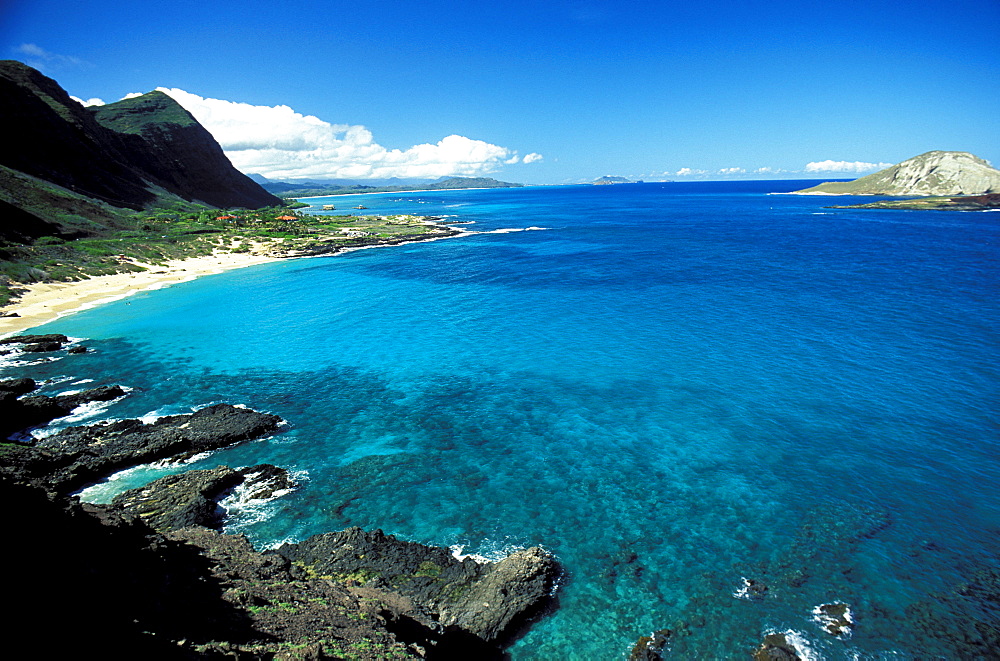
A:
(646, 90)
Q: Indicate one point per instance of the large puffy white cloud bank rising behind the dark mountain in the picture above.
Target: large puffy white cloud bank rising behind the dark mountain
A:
(279, 143)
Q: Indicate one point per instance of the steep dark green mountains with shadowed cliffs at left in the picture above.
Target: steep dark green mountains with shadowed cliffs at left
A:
(73, 170)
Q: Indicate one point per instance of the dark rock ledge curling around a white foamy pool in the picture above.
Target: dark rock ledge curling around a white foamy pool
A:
(192, 498)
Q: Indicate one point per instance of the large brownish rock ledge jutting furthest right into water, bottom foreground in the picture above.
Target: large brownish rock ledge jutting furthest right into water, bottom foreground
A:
(485, 600)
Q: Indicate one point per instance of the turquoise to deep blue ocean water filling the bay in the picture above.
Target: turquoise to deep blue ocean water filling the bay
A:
(672, 386)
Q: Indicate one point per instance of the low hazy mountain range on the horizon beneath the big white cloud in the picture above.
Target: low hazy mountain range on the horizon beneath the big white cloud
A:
(347, 186)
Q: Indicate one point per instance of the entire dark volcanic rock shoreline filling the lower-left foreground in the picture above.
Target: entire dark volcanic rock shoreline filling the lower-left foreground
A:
(150, 574)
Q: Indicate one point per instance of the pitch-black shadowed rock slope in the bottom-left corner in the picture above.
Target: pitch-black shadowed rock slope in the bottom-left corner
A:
(108, 586)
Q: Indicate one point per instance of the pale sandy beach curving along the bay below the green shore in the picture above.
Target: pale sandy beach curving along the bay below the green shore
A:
(44, 302)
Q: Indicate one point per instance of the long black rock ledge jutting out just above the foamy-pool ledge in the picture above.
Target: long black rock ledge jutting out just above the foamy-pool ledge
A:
(86, 454)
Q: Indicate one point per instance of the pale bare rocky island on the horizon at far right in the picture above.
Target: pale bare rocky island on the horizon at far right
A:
(932, 173)
